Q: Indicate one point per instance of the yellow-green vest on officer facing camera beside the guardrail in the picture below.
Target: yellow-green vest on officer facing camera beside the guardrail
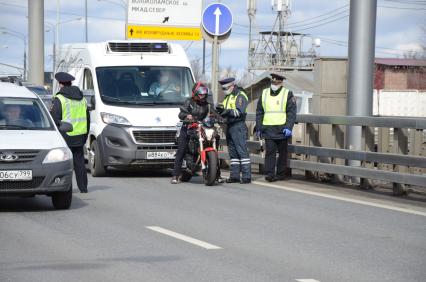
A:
(274, 107)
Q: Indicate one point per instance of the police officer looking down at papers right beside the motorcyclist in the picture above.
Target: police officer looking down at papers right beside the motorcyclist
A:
(234, 109)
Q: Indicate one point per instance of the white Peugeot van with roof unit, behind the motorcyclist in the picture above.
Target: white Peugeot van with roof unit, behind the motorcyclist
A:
(137, 88)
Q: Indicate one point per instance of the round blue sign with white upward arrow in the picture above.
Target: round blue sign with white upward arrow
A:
(217, 19)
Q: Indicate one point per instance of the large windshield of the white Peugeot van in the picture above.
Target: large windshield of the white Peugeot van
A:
(144, 85)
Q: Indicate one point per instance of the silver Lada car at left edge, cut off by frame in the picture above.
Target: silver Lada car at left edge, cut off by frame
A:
(34, 158)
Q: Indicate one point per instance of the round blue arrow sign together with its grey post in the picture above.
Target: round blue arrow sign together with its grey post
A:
(217, 23)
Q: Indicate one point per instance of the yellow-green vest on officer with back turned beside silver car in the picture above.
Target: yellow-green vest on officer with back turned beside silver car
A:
(74, 112)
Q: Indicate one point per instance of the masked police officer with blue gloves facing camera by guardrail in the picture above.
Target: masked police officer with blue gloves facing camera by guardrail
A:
(275, 117)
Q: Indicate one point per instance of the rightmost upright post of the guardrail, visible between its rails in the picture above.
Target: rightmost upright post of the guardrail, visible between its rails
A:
(400, 146)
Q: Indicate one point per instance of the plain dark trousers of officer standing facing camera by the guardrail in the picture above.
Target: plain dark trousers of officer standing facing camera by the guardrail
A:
(272, 146)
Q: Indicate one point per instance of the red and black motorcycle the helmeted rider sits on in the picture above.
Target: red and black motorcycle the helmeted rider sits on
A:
(202, 150)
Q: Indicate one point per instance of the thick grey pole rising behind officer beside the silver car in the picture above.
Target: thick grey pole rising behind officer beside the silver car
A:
(36, 41)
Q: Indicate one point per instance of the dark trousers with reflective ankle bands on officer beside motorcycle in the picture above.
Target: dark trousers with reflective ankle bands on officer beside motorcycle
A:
(236, 137)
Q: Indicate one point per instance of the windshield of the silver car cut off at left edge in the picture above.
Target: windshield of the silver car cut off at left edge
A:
(23, 114)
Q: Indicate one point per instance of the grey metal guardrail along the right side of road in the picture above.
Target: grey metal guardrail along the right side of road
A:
(373, 163)
